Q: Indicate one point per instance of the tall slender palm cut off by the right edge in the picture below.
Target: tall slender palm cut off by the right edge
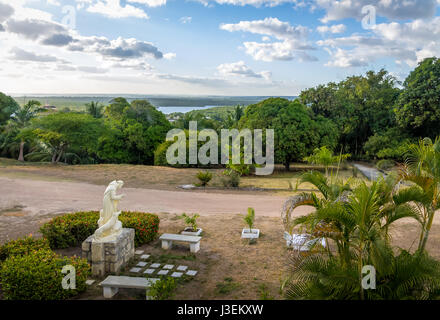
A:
(422, 169)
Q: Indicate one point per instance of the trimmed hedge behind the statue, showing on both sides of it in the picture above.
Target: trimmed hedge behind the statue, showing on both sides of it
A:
(72, 229)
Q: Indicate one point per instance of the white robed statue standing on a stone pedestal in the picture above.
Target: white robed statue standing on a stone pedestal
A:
(109, 226)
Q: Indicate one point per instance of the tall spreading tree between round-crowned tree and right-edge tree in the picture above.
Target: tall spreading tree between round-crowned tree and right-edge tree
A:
(359, 105)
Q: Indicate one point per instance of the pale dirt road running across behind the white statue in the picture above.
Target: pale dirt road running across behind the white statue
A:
(27, 203)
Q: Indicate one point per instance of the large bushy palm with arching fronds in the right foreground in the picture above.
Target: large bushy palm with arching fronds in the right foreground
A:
(357, 222)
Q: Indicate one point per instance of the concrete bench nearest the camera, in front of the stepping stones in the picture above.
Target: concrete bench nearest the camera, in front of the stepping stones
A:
(111, 284)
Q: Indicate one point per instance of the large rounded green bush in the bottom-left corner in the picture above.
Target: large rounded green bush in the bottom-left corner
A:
(37, 276)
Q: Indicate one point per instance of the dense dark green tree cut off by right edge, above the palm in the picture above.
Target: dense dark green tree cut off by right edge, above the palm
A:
(418, 107)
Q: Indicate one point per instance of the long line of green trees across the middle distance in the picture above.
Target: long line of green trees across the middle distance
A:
(370, 116)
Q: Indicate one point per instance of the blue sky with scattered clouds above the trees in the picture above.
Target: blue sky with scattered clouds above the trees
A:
(208, 47)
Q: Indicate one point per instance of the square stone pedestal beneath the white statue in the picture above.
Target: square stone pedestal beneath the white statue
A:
(109, 256)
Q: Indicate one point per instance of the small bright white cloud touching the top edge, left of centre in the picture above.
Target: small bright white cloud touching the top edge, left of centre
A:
(113, 9)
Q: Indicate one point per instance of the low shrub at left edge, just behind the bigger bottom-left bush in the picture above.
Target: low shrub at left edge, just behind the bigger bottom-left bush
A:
(22, 247)
